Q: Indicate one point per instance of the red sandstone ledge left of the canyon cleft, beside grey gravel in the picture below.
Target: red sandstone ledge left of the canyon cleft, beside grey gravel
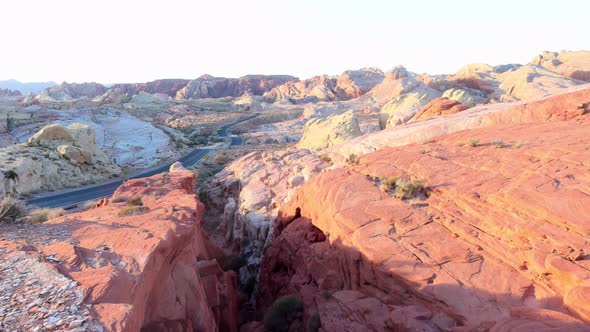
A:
(154, 270)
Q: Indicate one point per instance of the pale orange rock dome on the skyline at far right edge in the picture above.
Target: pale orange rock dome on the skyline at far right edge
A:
(571, 64)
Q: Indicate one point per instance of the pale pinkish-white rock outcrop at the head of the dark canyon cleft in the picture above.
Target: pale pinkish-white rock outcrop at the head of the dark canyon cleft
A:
(247, 196)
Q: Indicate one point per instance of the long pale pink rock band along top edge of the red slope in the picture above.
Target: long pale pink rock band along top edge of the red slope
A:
(566, 105)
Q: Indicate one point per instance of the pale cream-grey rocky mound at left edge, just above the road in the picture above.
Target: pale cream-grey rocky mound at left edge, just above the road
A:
(57, 157)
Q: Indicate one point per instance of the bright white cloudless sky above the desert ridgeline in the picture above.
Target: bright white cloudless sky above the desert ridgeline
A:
(117, 41)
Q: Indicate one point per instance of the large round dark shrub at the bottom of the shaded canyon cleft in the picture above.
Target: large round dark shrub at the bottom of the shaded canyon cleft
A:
(281, 312)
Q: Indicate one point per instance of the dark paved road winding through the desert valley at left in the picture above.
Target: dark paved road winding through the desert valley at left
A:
(71, 198)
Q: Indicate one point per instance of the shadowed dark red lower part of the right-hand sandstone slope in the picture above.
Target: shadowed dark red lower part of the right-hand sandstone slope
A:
(302, 262)
